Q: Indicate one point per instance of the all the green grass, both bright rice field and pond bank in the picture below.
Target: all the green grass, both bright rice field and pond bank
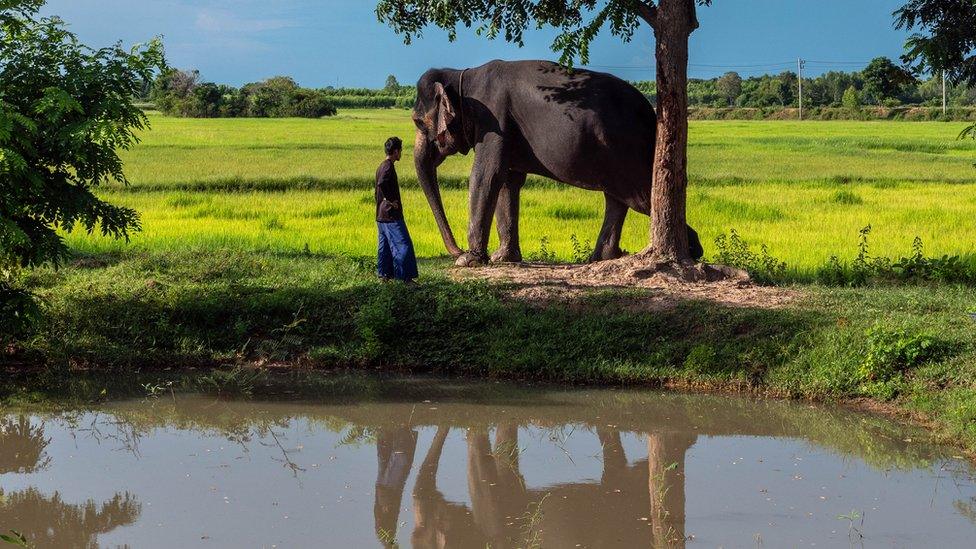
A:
(258, 242)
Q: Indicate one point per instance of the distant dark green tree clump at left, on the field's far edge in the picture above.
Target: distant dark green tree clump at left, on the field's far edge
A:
(180, 93)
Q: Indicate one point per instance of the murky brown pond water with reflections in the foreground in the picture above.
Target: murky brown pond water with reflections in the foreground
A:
(443, 464)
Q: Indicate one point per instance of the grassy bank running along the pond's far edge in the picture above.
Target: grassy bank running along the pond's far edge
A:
(910, 346)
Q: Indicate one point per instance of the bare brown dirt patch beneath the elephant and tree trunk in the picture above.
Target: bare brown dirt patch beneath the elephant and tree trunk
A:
(661, 286)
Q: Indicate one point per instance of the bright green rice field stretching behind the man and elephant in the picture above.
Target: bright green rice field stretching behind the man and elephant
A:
(802, 188)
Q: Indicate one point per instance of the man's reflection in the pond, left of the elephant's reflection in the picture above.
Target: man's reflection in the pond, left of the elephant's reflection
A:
(395, 447)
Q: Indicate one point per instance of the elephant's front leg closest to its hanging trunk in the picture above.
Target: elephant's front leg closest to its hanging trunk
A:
(487, 179)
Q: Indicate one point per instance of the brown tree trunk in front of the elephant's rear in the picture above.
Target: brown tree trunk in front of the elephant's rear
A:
(673, 24)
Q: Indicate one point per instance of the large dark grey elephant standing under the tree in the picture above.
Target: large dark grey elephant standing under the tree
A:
(587, 129)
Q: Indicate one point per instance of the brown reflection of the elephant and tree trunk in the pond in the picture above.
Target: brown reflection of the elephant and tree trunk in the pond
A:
(631, 505)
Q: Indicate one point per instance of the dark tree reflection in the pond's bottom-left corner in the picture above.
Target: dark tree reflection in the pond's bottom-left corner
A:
(47, 521)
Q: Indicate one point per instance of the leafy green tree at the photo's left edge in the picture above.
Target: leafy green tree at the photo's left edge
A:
(65, 113)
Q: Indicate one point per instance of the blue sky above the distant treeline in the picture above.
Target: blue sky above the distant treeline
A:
(330, 42)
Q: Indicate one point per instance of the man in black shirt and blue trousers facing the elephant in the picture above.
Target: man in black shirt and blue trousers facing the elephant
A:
(396, 259)
